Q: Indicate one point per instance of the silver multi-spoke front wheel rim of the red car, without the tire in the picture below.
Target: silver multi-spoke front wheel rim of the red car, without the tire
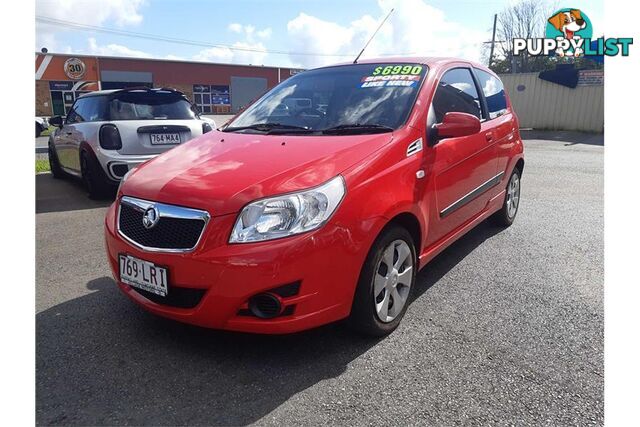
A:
(392, 280)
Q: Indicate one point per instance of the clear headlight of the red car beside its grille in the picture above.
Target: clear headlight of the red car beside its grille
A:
(289, 214)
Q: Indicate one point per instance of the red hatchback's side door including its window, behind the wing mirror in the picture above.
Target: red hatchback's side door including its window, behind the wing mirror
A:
(464, 168)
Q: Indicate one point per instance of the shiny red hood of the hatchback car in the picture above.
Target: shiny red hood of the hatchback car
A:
(223, 171)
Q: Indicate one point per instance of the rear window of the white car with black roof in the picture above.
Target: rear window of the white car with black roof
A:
(147, 105)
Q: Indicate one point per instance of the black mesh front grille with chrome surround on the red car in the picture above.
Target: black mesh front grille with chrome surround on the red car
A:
(178, 229)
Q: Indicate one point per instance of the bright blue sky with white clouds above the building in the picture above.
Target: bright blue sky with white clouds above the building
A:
(286, 33)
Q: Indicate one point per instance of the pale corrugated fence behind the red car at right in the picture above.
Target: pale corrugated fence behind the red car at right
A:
(543, 105)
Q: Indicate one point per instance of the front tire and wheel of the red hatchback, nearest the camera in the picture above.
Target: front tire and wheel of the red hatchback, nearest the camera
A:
(386, 282)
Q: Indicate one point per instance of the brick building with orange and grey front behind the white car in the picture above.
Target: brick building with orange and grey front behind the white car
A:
(214, 88)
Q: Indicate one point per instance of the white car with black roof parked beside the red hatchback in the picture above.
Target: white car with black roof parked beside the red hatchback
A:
(109, 132)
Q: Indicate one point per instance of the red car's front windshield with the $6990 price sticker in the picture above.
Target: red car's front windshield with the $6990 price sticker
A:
(361, 97)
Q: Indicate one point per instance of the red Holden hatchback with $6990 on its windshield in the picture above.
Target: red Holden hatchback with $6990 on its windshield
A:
(321, 200)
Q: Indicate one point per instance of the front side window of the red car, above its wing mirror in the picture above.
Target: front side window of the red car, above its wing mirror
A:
(456, 92)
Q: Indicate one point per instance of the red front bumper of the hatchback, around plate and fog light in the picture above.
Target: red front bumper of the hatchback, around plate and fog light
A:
(325, 262)
